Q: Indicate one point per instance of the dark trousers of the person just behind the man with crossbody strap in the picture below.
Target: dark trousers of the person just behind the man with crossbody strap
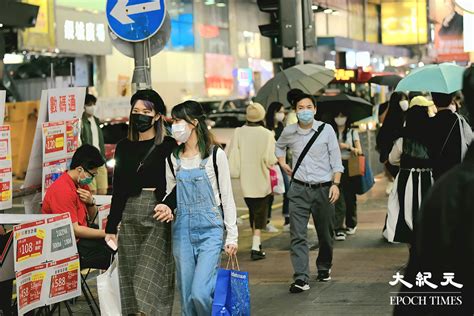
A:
(346, 206)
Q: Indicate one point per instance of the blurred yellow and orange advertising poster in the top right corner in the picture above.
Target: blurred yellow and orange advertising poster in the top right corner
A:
(449, 31)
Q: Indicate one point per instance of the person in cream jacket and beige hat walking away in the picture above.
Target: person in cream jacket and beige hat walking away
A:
(252, 153)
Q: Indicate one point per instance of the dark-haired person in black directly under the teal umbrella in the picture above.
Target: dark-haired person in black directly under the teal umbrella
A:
(445, 135)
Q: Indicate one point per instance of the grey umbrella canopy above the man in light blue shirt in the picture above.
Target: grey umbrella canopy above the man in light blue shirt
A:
(308, 77)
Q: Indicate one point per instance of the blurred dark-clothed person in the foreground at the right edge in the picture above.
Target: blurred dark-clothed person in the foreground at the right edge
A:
(444, 238)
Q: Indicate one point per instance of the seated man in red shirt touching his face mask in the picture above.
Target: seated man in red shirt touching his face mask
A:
(69, 193)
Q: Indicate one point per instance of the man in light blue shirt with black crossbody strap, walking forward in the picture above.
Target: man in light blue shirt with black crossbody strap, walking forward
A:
(316, 175)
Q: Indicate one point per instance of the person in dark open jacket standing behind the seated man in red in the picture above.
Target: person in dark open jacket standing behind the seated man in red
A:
(91, 134)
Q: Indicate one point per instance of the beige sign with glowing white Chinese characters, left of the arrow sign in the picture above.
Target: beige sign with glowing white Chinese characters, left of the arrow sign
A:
(82, 32)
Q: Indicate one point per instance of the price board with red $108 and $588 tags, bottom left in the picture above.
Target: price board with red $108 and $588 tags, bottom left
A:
(46, 262)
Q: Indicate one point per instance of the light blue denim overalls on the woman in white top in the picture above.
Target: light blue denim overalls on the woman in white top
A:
(198, 234)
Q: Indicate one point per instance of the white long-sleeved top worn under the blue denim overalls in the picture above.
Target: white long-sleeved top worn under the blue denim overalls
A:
(225, 184)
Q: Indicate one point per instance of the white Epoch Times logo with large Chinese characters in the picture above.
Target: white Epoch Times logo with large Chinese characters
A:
(444, 294)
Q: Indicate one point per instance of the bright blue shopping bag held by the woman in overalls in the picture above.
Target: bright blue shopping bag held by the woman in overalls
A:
(231, 294)
